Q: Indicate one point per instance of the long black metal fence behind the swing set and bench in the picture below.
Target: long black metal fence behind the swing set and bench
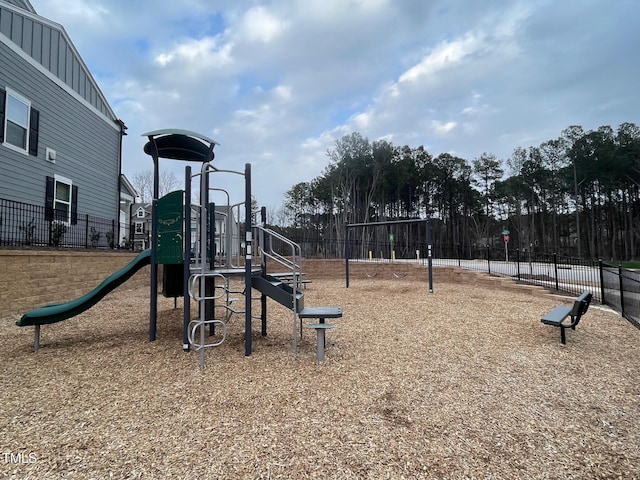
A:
(611, 285)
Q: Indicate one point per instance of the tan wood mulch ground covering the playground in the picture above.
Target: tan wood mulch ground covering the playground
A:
(464, 383)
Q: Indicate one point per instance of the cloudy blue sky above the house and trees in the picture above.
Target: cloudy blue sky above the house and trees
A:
(276, 83)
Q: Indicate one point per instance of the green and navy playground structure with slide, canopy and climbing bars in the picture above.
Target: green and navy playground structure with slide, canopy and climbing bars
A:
(202, 247)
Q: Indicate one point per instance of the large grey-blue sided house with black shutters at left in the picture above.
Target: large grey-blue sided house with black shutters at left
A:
(60, 141)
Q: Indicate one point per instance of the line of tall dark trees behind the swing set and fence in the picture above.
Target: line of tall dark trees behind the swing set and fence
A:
(576, 195)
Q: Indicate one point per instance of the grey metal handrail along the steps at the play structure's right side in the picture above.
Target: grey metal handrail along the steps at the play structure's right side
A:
(288, 254)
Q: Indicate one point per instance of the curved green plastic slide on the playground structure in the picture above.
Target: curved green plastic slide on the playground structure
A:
(62, 311)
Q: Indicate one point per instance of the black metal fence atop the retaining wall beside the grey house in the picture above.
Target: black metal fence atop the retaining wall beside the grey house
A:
(26, 225)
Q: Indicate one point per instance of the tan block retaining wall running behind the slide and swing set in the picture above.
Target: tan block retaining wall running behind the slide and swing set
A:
(33, 278)
